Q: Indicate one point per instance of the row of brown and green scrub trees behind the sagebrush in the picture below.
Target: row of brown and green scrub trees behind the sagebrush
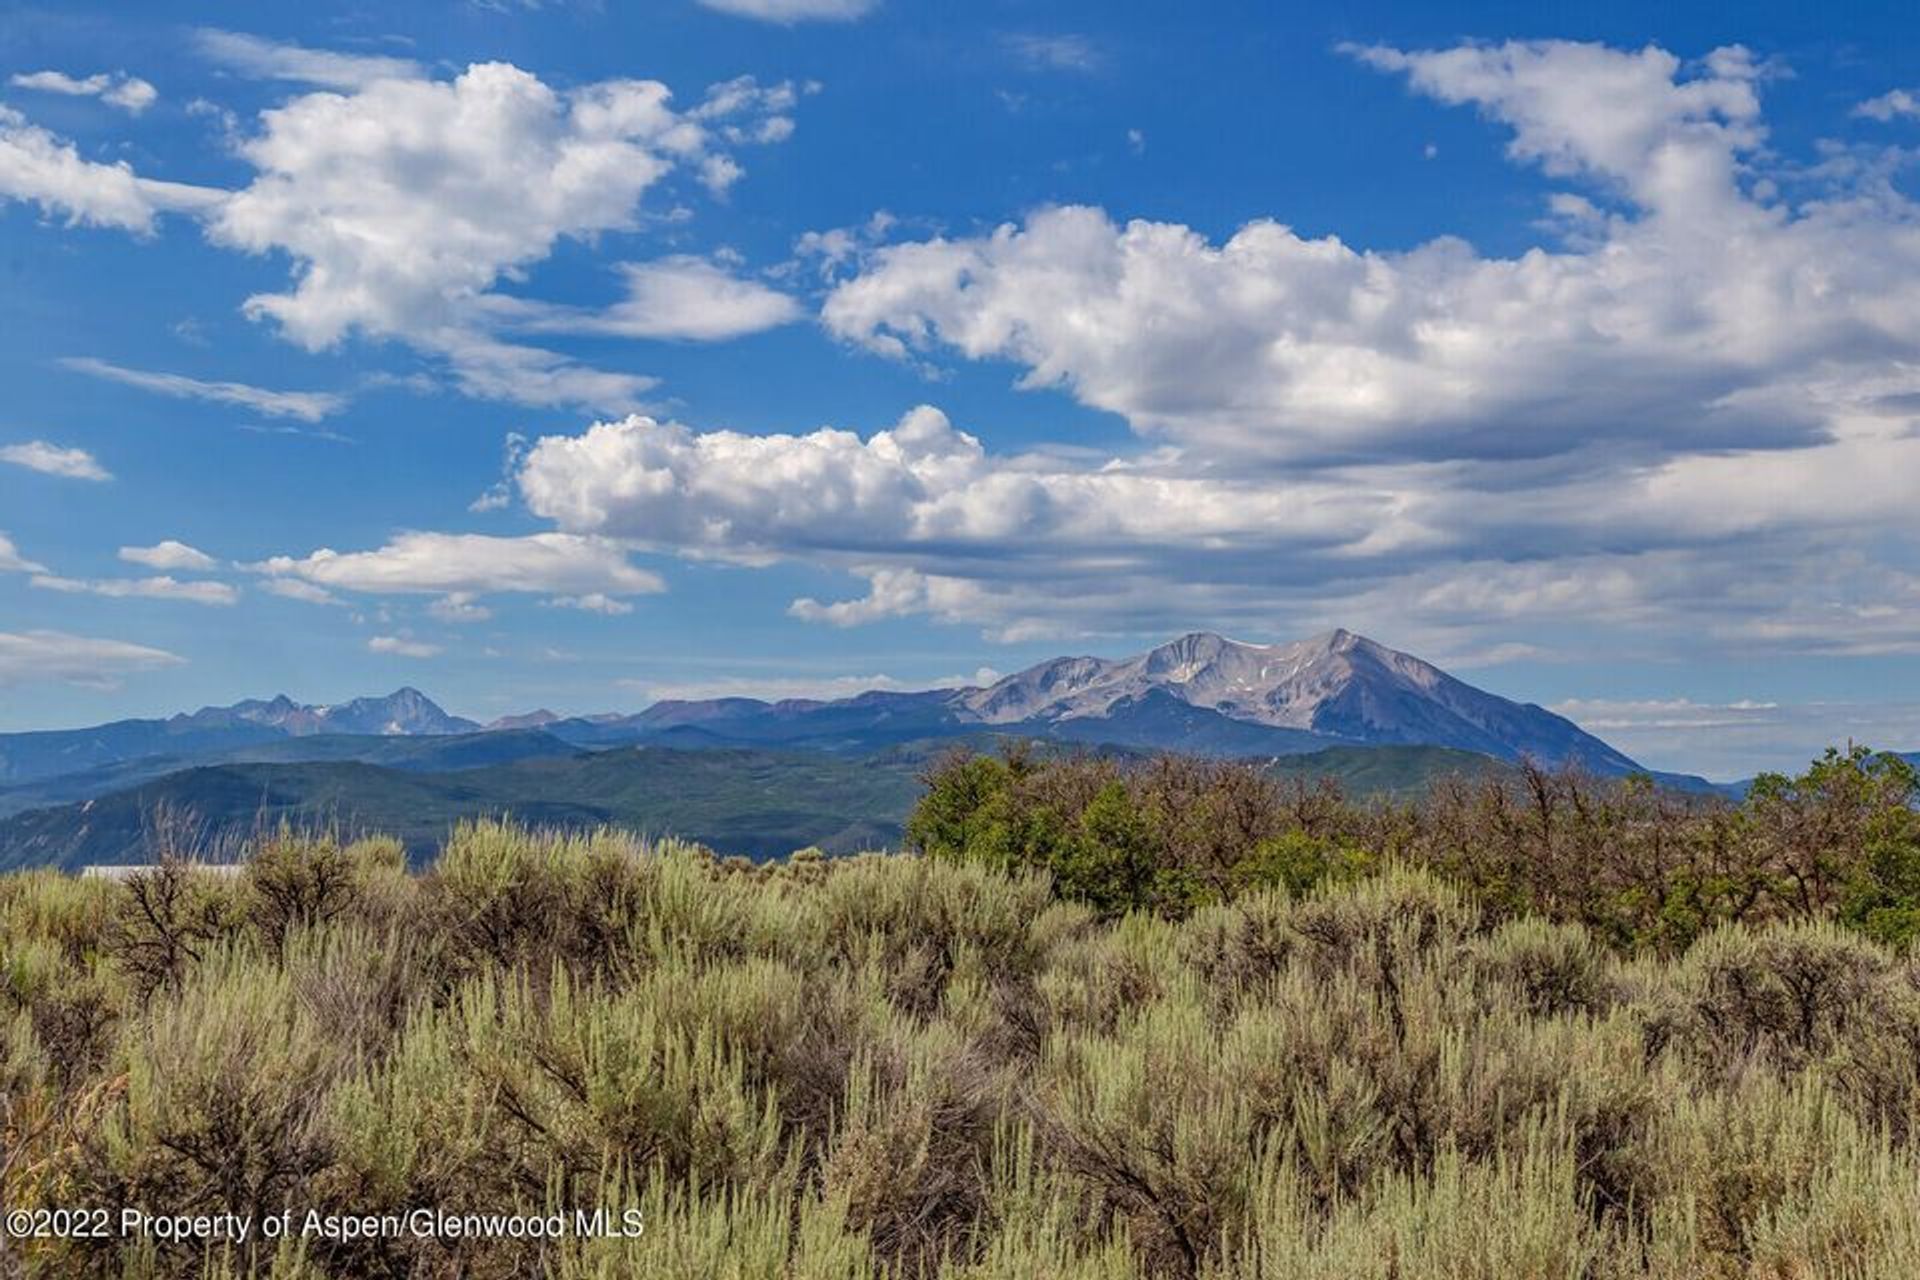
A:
(1641, 866)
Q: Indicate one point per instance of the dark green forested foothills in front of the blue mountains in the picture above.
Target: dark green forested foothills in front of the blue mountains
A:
(744, 801)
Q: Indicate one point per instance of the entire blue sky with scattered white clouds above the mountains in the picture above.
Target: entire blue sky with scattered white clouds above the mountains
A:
(585, 354)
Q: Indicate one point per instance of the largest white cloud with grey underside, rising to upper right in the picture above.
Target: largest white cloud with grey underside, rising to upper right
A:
(1704, 320)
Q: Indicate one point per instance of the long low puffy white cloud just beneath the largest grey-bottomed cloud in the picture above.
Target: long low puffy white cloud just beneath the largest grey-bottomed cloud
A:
(923, 483)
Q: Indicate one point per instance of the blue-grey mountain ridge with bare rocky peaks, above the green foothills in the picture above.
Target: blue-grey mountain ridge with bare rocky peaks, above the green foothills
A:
(1201, 694)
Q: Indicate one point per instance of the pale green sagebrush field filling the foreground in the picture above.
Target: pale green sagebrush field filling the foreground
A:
(911, 1066)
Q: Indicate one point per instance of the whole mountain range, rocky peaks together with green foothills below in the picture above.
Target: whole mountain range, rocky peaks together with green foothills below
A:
(1333, 699)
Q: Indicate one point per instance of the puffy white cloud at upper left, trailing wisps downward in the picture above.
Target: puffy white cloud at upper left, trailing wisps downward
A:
(406, 202)
